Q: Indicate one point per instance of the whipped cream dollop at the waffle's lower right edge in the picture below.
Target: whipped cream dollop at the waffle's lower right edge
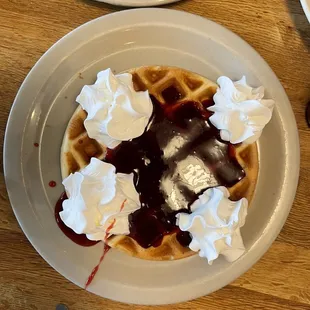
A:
(214, 224)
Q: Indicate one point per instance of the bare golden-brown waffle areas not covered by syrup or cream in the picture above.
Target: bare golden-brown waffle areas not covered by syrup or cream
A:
(77, 150)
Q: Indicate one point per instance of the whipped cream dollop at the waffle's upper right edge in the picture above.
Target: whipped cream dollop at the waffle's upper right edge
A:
(240, 112)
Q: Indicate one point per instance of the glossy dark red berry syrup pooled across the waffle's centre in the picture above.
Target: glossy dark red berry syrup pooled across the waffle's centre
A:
(178, 157)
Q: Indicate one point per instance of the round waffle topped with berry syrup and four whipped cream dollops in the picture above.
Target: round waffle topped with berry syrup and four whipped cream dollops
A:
(162, 163)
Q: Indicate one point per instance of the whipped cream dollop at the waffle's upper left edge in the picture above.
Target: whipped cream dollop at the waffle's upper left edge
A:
(116, 112)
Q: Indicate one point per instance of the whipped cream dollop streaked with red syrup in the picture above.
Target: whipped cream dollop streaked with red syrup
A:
(99, 201)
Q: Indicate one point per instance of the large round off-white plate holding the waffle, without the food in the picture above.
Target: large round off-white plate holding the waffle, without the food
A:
(46, 101)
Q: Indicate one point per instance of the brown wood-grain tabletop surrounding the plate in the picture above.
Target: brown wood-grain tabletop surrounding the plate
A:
(279, 31)
